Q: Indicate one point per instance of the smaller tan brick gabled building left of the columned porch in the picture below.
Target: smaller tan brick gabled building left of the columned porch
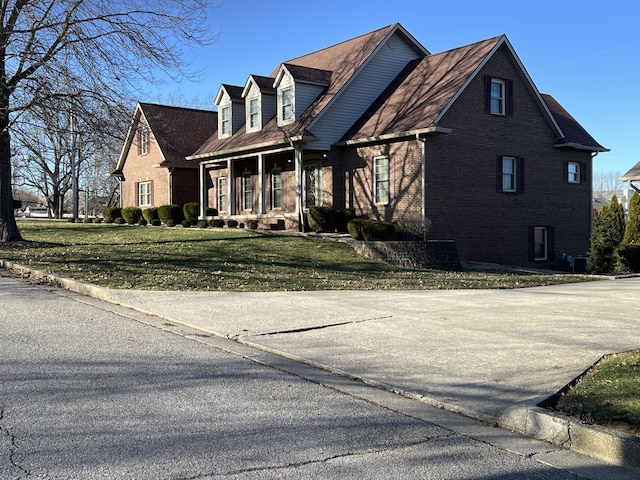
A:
(152, 168)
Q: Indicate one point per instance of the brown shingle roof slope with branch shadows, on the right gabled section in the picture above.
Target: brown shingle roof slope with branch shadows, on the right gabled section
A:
(421, 91)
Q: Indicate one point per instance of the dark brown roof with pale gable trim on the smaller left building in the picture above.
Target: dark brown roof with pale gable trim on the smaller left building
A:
(178, 132)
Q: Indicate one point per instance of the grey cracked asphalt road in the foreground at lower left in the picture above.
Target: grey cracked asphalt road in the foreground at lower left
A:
(93, 391)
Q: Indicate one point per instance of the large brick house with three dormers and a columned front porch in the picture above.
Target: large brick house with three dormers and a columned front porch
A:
(461, 139)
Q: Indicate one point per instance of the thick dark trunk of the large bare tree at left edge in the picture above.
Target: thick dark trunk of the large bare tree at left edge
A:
(8, 227)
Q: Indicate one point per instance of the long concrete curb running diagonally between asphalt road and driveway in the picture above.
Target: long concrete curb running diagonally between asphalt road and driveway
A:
(534, 422)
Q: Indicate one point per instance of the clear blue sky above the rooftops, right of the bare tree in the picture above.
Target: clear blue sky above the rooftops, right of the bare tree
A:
(586, 53)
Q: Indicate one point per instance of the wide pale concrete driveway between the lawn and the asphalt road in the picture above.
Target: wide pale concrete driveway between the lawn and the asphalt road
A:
(488, 354)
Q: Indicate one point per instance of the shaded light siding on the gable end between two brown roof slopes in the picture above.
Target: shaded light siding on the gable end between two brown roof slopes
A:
(375, 76)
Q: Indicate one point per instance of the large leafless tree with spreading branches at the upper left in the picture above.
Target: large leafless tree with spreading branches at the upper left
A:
(81, 50)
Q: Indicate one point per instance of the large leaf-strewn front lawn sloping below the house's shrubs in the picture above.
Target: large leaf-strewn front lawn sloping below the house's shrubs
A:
(152, 258)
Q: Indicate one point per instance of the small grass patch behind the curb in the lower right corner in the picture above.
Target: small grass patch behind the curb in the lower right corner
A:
(609, 394)
